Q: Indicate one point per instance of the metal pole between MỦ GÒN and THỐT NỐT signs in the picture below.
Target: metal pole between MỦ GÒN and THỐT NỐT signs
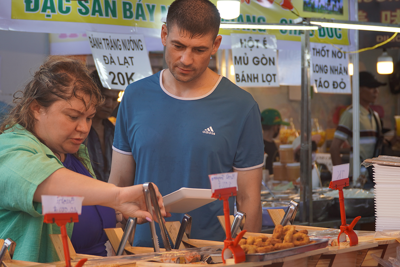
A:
(305, 148)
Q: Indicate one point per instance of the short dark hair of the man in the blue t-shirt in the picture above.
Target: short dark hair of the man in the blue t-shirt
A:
(197, 17)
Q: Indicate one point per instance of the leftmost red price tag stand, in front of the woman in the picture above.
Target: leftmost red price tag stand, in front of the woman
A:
(61, 219)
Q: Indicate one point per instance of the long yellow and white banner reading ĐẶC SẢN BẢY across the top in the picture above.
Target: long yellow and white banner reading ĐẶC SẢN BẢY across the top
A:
(146, 16)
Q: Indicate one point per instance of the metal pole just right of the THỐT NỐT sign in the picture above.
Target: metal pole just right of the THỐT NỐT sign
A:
(356, 103)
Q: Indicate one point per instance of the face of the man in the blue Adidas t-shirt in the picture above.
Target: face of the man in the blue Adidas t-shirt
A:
(187, 58)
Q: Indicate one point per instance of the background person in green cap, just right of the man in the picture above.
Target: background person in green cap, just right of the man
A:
(271, 122)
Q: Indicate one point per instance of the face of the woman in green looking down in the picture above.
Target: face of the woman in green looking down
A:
(64, 125)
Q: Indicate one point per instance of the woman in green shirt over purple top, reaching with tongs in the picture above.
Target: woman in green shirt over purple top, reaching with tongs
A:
(41, 153)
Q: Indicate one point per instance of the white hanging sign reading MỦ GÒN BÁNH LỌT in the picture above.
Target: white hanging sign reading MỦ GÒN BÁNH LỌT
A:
(255, 60)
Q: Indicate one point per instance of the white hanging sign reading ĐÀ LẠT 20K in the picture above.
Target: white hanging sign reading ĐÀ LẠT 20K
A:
(120, 59)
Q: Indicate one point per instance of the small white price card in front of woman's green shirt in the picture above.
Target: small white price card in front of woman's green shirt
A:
(61, 204)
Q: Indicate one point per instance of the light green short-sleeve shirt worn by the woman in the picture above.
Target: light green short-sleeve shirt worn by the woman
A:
(25, 163)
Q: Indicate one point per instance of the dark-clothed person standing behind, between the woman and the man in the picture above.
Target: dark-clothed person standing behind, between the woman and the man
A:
(101, 135)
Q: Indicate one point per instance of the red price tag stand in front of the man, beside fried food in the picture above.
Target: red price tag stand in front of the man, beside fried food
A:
(231, 247)
